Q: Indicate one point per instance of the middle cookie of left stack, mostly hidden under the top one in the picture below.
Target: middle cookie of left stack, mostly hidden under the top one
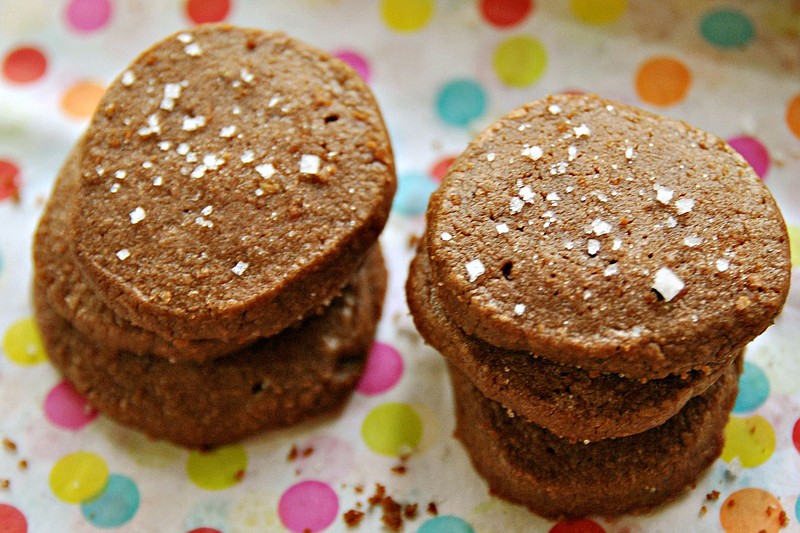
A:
(69, 295)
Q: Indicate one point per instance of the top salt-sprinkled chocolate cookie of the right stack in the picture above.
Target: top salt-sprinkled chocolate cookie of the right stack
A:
(603, 236)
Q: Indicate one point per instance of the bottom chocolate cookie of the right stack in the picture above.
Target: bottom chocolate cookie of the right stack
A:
(528, 465)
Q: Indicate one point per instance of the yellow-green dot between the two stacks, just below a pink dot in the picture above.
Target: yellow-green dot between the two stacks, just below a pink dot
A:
(392, 429)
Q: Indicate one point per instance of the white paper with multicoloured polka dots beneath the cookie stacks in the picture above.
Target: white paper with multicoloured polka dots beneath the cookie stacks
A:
(441, 71)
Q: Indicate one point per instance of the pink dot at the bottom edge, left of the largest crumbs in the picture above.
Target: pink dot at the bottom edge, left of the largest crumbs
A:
(308, 506)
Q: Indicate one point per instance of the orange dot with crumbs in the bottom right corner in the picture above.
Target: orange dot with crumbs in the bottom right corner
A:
(749, 510)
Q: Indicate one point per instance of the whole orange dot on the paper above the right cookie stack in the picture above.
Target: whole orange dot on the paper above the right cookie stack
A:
(663, 81)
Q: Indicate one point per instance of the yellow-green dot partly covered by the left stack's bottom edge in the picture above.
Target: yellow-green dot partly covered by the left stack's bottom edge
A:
(217, 469)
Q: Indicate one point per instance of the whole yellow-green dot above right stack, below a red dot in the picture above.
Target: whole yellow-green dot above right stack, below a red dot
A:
(520, 61)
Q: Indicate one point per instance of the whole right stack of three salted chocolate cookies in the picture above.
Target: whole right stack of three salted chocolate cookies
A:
(591, 272)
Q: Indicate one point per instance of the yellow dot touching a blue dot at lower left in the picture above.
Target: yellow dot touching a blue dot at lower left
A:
(78, 477)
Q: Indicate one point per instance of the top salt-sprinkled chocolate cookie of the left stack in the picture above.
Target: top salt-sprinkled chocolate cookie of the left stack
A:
(225, 173)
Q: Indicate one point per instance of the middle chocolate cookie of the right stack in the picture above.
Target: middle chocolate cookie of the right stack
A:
(567, 401)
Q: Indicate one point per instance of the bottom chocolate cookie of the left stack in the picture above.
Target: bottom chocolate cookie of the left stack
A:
(299, 374)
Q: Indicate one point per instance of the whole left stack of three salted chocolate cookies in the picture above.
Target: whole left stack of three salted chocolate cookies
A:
(207, 266)
